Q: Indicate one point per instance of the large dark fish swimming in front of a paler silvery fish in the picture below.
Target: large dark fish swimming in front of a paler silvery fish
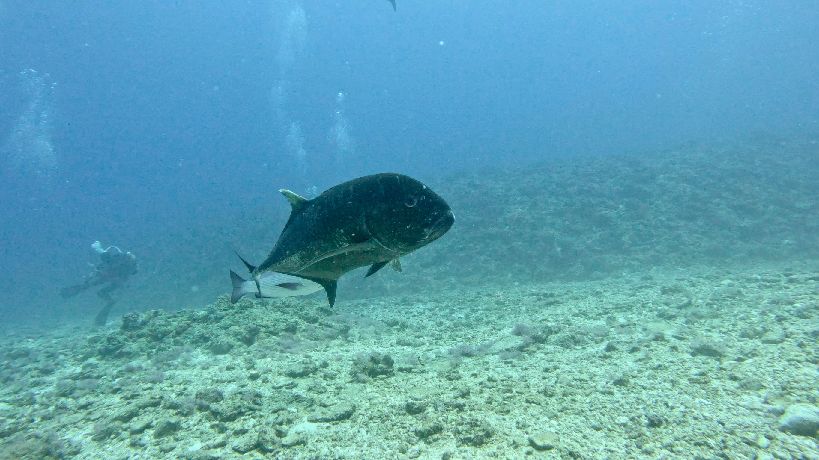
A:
(371, 220)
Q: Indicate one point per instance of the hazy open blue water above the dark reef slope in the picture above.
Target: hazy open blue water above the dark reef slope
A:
(166, 127)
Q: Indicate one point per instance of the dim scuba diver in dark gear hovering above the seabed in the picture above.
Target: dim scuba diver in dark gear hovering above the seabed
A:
(113, 270)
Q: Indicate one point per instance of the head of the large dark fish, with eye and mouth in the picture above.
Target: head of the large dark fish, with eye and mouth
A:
(406, 214)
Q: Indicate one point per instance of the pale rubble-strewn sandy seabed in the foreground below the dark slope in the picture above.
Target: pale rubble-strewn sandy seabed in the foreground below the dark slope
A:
(694, 363)
